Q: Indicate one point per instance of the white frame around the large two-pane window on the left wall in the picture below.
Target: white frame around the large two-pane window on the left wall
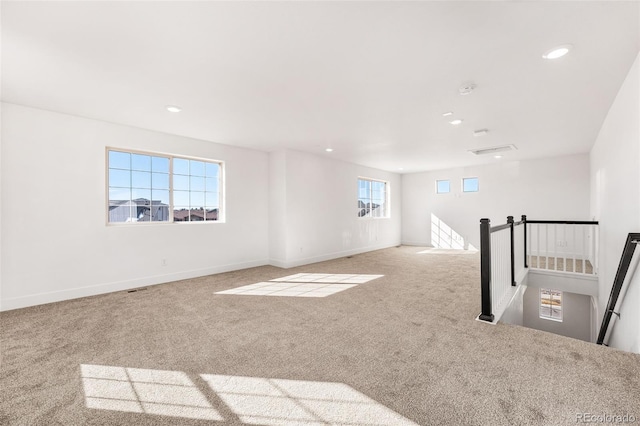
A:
(171, 157)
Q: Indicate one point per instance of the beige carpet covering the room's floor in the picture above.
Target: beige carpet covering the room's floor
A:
(404, 345)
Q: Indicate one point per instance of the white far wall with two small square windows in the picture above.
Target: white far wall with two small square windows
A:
(548, 189)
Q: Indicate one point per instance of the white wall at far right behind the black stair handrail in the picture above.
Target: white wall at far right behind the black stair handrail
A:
(615, 202)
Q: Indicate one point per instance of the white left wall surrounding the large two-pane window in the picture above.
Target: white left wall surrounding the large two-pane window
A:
(55, 243)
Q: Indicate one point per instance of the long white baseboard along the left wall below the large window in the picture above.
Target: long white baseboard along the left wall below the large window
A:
(93, 290)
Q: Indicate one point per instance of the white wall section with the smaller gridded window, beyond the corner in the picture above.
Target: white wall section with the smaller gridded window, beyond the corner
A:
(321, 210)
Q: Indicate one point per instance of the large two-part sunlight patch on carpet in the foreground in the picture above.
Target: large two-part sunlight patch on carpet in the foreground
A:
(252, 400)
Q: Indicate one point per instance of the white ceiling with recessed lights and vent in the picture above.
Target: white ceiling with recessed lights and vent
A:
(369, 79)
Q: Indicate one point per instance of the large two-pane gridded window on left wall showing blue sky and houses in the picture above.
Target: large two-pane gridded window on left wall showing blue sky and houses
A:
(146, 187)
